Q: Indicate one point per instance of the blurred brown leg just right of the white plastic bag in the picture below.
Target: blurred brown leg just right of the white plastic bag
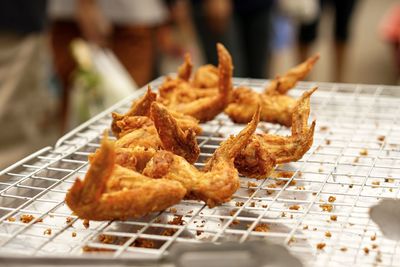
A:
(135, 48)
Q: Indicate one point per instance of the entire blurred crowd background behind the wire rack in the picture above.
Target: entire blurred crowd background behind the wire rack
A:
(62, 61)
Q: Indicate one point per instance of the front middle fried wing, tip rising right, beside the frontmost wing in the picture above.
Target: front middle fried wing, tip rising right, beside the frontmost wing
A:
(219, 179)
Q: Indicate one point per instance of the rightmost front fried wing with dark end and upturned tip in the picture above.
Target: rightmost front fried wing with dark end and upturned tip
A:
(264, 151)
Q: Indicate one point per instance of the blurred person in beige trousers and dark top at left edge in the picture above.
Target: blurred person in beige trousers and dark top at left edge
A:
(26, 102)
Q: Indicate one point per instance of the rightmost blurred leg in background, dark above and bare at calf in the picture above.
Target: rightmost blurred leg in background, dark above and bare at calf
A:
(343, 14)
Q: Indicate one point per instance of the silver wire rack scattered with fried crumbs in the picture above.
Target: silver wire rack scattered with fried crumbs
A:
(320, 201)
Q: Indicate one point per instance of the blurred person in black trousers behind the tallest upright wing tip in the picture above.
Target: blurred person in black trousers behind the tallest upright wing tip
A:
(243, 26)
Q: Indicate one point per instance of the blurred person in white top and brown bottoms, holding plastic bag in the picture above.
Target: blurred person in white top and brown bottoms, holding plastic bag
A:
(133, 29)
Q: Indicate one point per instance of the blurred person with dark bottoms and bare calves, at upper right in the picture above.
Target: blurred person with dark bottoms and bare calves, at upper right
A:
(308, 33)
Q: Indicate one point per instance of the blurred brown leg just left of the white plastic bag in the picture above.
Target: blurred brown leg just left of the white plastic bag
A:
(61, 35)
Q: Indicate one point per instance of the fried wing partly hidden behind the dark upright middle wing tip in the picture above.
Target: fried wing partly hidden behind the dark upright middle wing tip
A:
(138, 114)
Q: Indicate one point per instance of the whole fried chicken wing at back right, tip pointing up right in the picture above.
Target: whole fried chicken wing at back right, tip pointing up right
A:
(276, 106)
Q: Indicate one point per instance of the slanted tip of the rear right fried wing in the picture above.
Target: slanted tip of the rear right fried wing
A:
(280, 85)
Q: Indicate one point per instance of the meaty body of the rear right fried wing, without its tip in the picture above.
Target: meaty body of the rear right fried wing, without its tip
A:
(274, 108)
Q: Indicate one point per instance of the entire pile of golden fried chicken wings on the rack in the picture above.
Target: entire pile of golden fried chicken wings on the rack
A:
(149, 167)
